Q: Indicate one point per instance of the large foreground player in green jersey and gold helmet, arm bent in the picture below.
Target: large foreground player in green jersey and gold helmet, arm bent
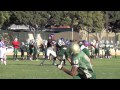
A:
(81, 65)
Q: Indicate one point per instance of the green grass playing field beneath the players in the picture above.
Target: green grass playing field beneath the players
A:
(25, 69)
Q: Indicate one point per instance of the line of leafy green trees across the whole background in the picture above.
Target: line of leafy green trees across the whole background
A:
(91, 21)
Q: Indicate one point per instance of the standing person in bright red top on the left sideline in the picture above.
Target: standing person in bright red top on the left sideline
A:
(16, 45)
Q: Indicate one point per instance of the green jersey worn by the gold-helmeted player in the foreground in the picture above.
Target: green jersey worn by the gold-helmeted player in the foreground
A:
(82, 61)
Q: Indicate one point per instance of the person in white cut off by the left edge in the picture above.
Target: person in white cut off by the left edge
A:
(2, 51)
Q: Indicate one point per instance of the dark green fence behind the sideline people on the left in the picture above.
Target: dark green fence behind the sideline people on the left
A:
(22, 36)
